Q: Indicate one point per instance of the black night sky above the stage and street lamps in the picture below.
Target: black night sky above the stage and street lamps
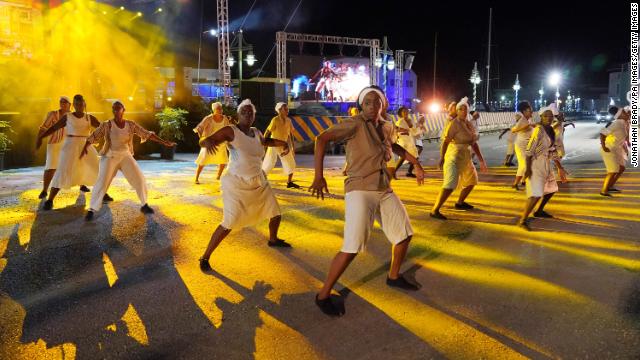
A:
(583, 40)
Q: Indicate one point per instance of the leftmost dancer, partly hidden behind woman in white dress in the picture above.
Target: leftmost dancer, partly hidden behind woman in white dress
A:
(54, 145)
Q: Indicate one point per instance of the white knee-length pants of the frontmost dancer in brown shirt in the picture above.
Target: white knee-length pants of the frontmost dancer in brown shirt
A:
(362, 208)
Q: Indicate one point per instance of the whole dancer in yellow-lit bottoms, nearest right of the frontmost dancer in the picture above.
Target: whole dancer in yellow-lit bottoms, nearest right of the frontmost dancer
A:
(455, 160)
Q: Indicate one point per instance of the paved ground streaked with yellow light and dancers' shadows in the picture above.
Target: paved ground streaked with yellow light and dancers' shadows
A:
(128, 285)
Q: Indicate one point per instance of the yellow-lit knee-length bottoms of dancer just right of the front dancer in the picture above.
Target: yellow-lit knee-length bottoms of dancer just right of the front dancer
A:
(458, 167)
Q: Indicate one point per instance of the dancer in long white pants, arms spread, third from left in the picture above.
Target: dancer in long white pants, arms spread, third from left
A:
(117, 154)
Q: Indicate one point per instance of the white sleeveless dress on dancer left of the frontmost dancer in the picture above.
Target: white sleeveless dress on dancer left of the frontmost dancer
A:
(247, 196)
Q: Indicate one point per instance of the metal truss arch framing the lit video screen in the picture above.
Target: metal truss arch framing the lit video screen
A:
(283, 37)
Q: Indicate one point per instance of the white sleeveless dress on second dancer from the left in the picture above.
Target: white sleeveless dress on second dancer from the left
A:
(73, 171)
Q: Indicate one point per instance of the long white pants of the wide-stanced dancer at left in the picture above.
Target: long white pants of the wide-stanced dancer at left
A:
(109, 166)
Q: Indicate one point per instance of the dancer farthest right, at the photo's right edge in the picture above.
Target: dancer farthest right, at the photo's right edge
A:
(614, 151)
